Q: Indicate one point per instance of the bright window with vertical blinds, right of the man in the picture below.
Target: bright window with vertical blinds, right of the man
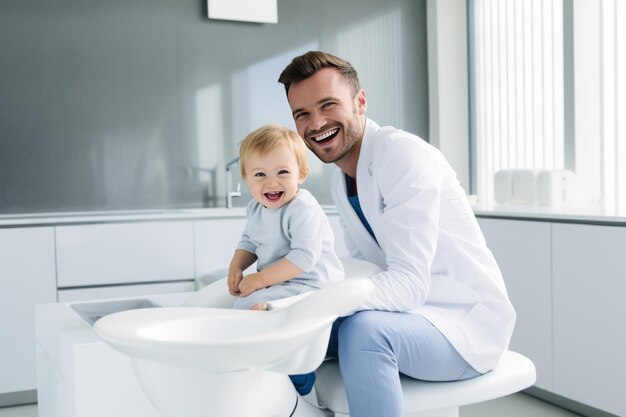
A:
(549, 94)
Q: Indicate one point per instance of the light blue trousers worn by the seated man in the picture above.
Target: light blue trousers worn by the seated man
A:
(375, 346)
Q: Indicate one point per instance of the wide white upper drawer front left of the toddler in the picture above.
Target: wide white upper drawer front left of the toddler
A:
(124, 253)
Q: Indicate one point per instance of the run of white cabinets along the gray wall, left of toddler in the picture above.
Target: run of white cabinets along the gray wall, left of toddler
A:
(93, 261)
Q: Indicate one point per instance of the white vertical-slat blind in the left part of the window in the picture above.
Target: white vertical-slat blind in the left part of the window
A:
(518, 94)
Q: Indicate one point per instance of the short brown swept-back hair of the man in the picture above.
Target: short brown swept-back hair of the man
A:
(303, 66)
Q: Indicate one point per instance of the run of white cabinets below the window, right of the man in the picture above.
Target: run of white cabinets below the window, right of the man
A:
(567, 283)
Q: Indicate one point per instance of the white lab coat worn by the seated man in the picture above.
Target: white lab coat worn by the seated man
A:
(434, 258)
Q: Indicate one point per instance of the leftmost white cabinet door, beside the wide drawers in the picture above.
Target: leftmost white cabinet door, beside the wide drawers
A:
(27, 277)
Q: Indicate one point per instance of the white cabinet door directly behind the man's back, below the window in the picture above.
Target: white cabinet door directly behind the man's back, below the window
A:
(522, 249)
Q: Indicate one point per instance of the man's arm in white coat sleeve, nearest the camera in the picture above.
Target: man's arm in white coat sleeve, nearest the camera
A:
(409, 178)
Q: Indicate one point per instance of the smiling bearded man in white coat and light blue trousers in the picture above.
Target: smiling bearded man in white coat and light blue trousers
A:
(440, 310)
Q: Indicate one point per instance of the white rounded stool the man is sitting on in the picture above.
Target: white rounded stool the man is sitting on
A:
(436, 399)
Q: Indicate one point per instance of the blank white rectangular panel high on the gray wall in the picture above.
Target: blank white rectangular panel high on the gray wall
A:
(261, 11)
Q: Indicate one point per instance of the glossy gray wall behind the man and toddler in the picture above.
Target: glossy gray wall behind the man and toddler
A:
(137, 104)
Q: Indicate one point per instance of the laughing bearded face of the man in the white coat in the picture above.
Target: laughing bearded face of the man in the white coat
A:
(328, 116)
